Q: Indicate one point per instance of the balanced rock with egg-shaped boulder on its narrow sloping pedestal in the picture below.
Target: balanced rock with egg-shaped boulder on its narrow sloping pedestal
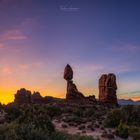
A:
(72, 91)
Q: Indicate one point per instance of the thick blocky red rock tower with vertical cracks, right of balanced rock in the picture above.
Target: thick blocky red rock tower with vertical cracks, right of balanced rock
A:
(108, 88)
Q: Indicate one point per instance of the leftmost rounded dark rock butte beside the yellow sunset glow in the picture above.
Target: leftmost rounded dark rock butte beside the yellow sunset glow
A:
(23, 96)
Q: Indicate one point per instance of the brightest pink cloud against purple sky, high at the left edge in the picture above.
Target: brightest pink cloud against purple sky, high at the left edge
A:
(13, 35)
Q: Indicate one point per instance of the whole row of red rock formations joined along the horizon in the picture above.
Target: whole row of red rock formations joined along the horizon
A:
(107, 92)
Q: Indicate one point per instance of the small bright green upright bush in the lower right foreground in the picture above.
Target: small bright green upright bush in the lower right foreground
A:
(122, 130)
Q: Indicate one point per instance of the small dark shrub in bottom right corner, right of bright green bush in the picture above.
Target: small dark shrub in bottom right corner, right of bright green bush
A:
(134, 132)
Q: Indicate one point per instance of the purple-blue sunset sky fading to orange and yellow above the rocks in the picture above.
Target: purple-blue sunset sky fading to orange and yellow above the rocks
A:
(39, 37)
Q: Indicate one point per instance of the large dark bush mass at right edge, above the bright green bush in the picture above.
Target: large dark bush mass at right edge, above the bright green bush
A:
(129, 114)
